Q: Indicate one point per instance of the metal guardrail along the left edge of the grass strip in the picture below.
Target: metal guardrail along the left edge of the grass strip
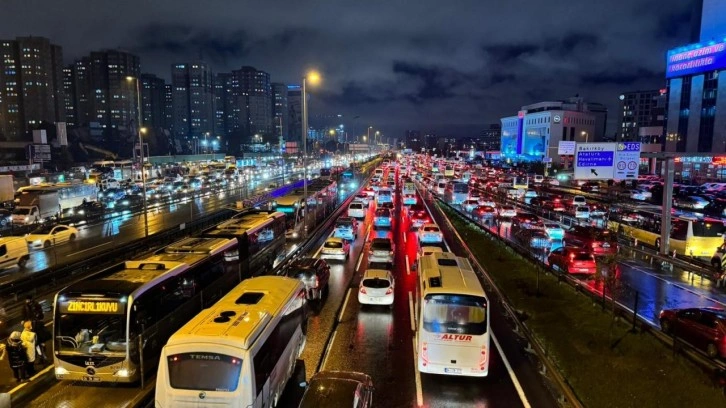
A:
(549, 369)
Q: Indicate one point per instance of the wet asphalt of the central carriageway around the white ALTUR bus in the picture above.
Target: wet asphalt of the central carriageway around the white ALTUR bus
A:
(377, 341)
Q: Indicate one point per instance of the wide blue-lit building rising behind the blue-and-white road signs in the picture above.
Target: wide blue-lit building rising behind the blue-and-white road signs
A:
(535, 132)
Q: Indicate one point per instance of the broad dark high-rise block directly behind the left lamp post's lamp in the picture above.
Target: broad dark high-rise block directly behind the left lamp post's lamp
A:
(104, 89)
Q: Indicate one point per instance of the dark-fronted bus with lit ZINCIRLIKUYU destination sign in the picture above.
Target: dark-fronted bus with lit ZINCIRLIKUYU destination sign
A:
(110, 325)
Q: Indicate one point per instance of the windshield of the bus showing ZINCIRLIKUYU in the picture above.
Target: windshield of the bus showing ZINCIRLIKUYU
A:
(91, 333)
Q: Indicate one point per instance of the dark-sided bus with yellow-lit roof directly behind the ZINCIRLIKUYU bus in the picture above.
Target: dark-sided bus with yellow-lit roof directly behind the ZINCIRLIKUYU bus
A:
(261, 236)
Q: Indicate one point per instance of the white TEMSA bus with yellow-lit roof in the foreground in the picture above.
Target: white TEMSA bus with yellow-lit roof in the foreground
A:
(239, 353)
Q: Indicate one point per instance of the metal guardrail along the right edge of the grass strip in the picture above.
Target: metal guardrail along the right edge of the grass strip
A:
(715, 368)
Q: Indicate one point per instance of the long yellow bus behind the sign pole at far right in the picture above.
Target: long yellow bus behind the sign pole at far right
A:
(689, 236)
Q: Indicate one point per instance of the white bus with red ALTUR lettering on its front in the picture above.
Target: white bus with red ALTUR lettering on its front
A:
(453, 328)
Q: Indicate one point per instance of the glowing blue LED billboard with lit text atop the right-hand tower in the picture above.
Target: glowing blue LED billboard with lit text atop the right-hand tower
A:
(695, 58)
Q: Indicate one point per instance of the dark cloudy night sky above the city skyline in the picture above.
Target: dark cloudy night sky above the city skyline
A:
(444, 66)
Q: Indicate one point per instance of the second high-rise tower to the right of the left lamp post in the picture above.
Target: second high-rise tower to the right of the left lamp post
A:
(193, 100)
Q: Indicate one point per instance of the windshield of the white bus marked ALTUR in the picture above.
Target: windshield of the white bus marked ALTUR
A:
(456, 314)
